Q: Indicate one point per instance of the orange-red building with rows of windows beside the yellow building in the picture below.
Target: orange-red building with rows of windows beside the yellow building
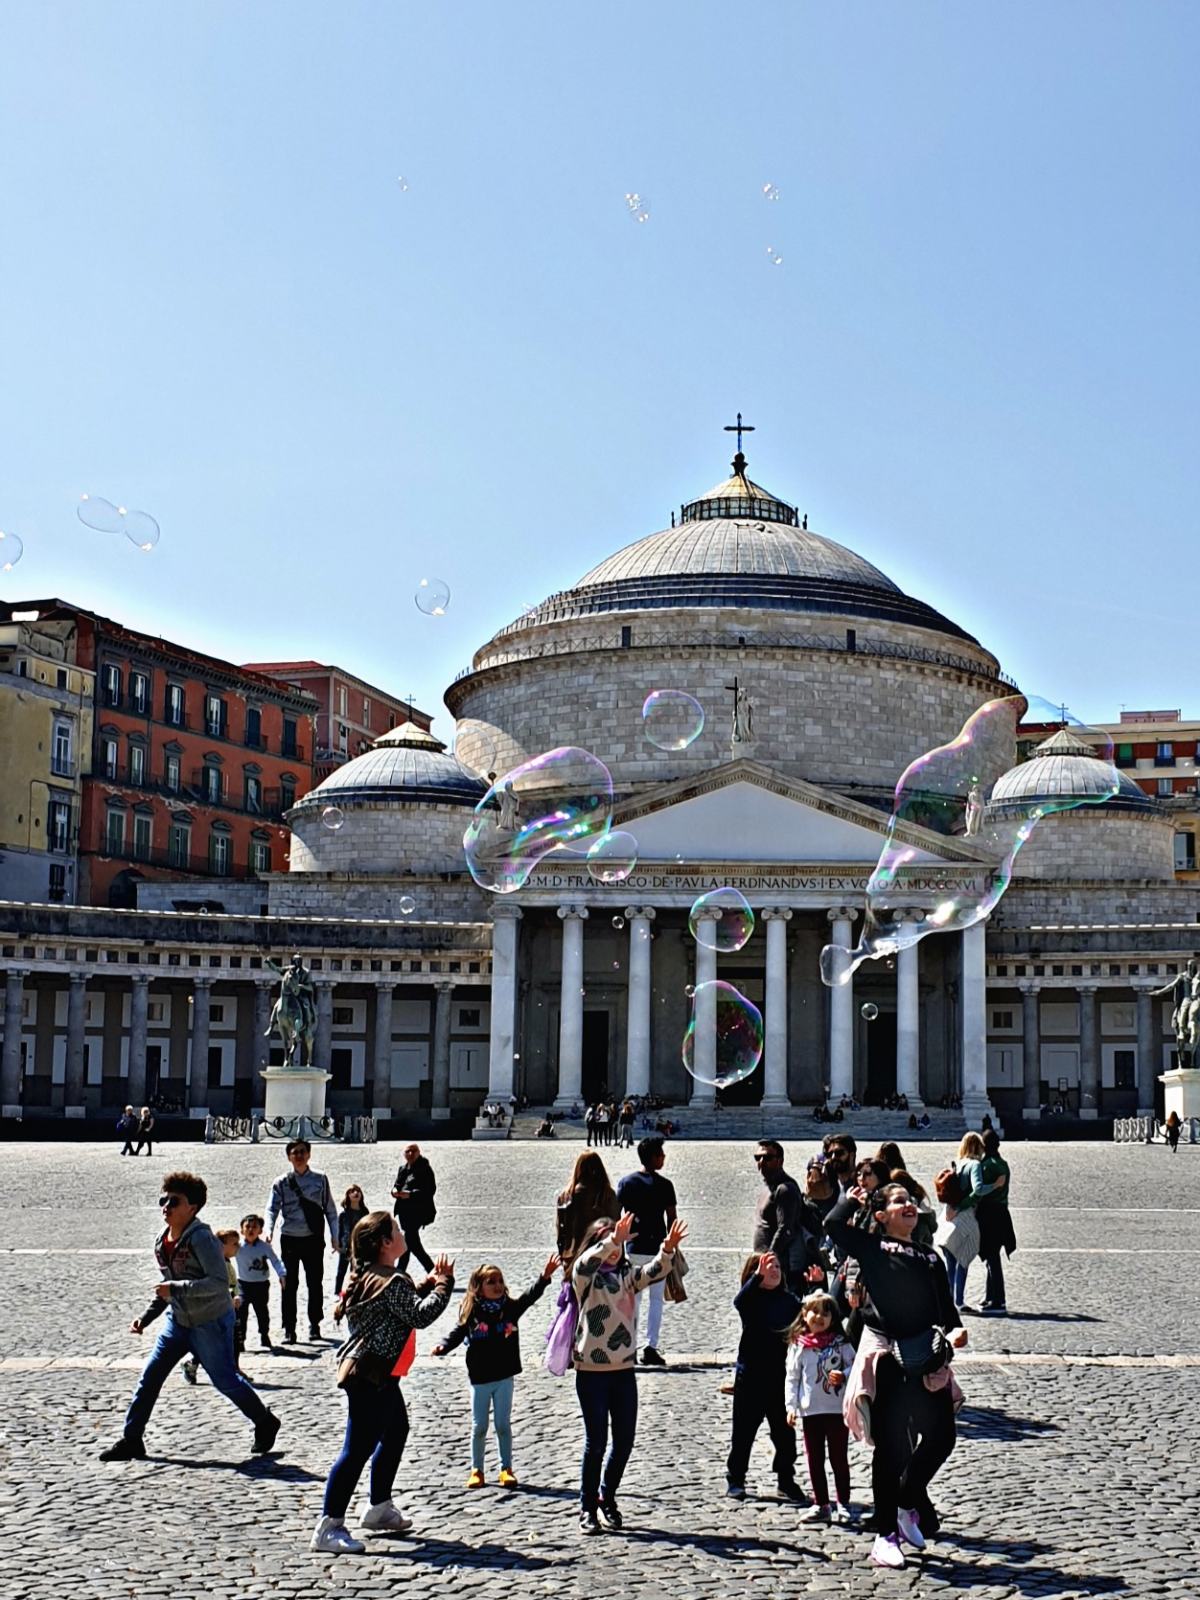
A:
(194, 761)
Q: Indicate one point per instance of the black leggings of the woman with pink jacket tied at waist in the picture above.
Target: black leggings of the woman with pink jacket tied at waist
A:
(903, 1412)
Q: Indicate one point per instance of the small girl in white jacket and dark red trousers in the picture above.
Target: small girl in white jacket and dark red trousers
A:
(818, 1366)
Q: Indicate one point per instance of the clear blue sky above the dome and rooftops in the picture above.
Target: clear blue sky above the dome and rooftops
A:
(975, 366)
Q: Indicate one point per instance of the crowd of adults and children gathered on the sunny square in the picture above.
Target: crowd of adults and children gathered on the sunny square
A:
(852, 1303)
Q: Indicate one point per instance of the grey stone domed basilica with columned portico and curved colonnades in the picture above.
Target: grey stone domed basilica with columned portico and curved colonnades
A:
(820, 682)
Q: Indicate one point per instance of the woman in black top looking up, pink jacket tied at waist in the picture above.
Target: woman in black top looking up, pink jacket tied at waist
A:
(911, 1310)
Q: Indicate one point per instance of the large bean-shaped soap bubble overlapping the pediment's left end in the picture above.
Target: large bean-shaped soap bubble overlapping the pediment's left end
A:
(546, 804)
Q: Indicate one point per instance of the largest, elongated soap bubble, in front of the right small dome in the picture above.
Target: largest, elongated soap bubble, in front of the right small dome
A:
(946, 793)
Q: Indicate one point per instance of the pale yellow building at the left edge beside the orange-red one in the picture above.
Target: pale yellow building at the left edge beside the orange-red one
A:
(46, 748)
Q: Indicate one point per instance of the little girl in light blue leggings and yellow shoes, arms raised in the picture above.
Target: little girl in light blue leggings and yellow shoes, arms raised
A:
(489, 1326)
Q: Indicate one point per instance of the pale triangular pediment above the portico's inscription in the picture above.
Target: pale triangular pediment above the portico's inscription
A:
(745, 812)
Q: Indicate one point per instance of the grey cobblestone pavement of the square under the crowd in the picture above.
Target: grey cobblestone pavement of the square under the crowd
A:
(1074, 1473)
